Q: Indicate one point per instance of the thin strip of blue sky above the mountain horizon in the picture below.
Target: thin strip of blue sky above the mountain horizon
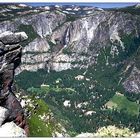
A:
(101, 5)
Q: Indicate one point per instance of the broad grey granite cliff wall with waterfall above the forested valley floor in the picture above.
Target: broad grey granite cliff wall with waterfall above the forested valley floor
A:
(62, 38)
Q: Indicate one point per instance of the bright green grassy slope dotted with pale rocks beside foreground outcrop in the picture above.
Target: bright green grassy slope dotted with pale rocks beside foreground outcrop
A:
(41, 120)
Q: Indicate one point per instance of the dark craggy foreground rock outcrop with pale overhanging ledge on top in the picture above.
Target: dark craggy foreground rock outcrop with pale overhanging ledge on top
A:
(10, 108)
